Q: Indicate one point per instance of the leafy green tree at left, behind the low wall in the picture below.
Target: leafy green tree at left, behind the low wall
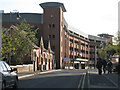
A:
(16, 44)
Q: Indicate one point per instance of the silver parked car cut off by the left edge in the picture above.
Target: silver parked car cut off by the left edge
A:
(9, 77)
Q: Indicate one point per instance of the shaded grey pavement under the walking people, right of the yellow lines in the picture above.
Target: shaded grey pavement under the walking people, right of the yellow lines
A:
(106, 81)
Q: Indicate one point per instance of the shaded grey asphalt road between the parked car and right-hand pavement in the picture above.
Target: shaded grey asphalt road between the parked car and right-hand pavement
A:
(61, 79)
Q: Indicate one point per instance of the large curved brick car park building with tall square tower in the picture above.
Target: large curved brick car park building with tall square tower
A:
(71, 46)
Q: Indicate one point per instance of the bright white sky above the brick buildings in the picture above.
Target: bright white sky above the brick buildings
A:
(89, 16)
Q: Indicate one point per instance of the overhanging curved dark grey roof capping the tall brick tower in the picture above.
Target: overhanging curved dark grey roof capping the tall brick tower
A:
(53, 4)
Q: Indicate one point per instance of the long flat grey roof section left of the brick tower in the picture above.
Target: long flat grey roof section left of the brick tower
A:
(35, 18)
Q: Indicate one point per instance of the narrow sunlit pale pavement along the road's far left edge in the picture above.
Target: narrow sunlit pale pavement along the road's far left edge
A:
(28, 74)
